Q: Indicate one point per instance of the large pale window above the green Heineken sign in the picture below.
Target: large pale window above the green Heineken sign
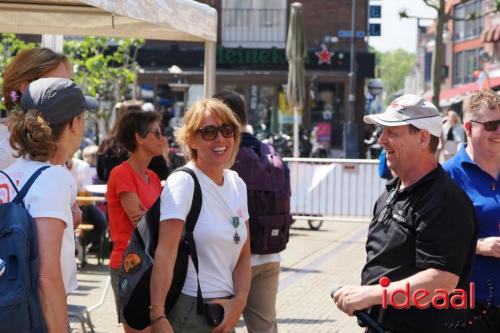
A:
(254, 23)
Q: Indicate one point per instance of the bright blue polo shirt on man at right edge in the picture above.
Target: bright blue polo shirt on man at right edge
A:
(484, 191)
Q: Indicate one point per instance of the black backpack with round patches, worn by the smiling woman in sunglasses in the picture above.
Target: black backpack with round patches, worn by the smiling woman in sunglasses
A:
(137, 263)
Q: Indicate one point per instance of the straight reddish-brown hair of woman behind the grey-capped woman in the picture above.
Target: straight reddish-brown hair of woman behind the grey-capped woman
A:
(30, 65)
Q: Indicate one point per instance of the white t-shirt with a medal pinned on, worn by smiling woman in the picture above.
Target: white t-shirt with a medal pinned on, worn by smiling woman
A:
(217, 252)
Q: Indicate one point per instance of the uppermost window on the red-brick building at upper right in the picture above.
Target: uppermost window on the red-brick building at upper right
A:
(468, 28)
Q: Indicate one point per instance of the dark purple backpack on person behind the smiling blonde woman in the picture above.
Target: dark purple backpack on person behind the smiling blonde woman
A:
(268, 188)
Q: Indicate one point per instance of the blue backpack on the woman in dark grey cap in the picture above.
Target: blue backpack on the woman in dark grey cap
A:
(20, 309)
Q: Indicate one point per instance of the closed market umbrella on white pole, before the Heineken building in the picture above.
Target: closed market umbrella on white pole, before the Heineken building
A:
(296, 53)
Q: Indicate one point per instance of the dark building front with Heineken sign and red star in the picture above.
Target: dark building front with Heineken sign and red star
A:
(251, 60)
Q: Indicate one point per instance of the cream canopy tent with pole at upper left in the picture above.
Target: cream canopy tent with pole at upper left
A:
(179, 20)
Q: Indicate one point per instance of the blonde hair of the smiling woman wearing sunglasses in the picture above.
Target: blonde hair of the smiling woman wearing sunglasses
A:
(192, 122)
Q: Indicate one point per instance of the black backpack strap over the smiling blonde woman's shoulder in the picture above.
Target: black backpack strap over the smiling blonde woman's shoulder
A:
(191, 220)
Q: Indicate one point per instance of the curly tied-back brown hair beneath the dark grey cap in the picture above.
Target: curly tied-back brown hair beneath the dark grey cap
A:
(32, 136)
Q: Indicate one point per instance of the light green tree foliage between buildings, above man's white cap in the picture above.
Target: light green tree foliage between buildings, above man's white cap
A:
(393, 67)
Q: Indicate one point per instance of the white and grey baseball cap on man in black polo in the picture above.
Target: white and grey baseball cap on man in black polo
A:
(409, 110)
